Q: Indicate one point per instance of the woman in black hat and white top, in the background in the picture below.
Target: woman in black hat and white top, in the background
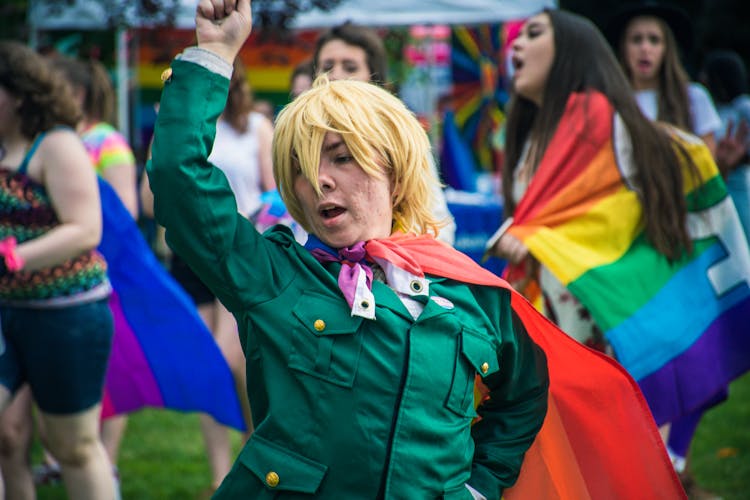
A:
(647, 36)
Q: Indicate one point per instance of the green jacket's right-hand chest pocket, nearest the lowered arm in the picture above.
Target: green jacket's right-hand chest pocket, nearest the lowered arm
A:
(477, 354)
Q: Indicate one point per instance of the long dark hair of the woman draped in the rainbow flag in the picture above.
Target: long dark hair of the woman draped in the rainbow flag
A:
(584, 62)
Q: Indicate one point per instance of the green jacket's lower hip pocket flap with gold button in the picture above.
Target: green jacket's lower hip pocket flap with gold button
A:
(280, 469)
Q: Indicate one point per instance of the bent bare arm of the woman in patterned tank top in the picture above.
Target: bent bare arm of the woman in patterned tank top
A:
(63, 166)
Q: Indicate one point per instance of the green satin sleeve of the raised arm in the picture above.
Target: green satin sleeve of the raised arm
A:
(193, 200)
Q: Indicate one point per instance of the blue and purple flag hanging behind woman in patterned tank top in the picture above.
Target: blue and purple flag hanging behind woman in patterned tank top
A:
(163, 355)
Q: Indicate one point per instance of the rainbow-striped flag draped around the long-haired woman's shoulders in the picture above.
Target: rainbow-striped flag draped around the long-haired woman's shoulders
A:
(680, 328)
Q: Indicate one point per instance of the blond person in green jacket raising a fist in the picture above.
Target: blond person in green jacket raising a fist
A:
(363, 346)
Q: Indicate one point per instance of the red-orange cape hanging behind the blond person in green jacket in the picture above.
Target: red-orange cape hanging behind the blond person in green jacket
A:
(598, 439)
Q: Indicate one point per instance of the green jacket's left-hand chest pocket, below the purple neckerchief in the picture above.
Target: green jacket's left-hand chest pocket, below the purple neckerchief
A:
(326, 341)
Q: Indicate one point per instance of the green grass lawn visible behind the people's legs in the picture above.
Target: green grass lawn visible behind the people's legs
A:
(163, 457)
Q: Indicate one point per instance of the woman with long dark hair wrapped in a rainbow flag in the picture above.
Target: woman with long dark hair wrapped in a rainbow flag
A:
(612, 206)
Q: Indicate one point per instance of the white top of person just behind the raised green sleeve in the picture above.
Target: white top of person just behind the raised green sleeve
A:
(236, 154)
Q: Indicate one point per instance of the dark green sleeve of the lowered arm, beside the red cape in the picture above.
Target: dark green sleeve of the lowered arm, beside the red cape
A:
(513, 414)
